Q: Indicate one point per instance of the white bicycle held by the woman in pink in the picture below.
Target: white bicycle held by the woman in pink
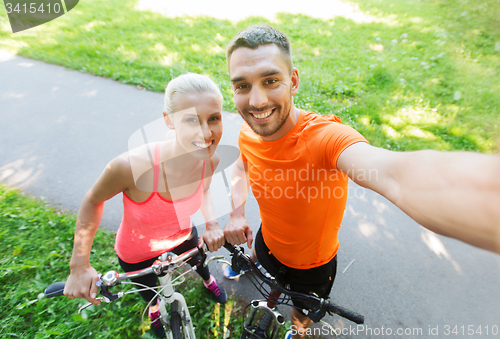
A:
(177, 320)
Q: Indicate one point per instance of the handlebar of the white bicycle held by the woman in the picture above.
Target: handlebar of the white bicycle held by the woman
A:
(112, 278)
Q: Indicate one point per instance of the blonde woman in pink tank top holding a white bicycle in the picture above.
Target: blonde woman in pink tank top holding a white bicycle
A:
(163, 184)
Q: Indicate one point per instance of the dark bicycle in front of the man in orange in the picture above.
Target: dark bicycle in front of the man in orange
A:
(267, 325)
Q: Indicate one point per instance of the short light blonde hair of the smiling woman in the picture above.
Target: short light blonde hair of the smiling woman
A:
(188, 83)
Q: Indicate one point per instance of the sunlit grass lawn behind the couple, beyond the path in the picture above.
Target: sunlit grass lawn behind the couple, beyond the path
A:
(423, 74)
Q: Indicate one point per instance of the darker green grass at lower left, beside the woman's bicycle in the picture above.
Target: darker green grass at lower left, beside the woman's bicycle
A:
(35, 245)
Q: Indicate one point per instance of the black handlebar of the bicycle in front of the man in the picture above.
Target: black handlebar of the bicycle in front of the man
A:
(318, 306)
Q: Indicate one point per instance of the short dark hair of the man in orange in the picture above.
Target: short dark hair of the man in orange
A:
(255, 36)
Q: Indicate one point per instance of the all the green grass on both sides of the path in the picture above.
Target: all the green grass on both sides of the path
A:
(425, 74)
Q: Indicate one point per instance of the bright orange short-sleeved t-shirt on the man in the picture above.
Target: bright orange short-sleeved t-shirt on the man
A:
(301, 194)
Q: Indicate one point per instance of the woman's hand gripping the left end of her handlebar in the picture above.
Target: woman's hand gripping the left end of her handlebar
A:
(81, 283)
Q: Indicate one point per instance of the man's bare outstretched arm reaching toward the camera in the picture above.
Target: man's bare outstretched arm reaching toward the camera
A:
(456, 194)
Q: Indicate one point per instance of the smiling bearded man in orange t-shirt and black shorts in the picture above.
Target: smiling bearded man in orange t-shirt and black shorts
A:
(298, 164)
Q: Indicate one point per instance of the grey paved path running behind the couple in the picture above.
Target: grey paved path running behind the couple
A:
(59, 128)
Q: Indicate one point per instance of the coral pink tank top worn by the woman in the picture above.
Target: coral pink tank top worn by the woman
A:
(156, 225)
